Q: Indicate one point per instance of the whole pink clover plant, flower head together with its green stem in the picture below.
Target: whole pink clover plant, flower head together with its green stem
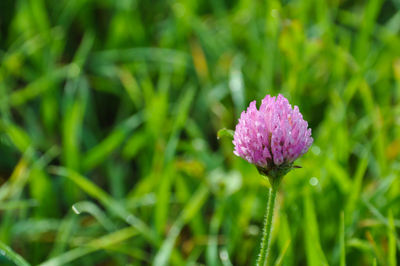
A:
(272, 138)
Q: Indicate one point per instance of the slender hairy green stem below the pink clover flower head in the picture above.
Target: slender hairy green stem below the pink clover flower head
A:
(266, 239)
